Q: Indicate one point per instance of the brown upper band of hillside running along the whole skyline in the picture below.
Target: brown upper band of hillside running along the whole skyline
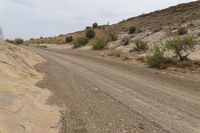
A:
(167, 19)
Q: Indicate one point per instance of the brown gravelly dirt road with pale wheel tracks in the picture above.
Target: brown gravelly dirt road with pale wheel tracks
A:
(101, 96)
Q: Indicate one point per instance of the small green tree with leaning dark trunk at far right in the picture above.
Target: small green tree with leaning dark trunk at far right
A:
(182, 47)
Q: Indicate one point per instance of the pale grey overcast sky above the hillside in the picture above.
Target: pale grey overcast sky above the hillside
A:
(35, 18)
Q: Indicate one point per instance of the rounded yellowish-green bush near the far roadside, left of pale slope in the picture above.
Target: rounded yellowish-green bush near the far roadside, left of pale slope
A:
(100, 43)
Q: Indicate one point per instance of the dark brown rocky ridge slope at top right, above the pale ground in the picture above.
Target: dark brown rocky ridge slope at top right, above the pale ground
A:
(172, 16)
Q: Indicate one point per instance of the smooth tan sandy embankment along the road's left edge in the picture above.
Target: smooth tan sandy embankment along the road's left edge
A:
(22, 104)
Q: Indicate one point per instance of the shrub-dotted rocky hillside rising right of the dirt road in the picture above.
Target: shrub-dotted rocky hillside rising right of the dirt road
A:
(166, 37)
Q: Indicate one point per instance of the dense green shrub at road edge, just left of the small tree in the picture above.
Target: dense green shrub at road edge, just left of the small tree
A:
(157, 59)
